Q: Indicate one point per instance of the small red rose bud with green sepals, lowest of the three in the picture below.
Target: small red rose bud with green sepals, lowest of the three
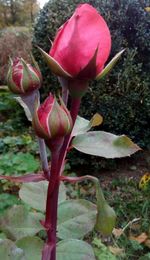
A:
(51, 119)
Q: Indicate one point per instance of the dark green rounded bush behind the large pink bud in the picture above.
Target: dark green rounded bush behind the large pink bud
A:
(123, 97)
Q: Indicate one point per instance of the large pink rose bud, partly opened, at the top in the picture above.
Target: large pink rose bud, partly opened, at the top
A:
(82, 45)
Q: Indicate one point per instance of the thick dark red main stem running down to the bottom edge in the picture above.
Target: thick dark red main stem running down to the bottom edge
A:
(57, 164)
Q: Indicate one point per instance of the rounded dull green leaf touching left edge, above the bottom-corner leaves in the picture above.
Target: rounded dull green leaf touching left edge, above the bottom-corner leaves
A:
(18, 222)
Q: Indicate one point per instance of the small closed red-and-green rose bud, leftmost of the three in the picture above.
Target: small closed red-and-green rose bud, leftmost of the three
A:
(22, 78)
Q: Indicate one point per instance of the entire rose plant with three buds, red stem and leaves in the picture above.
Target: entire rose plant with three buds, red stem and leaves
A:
(77, 55)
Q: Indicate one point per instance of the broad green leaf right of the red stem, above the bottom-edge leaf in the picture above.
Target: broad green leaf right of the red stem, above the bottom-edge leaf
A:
(76, 218)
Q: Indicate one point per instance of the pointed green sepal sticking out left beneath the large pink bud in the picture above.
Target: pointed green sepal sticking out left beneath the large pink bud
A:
(54, 65)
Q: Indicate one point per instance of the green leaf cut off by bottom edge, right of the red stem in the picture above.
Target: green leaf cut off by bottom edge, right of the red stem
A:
(74, 249)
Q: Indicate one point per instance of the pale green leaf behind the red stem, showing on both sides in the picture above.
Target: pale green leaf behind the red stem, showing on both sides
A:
(35, 194)
